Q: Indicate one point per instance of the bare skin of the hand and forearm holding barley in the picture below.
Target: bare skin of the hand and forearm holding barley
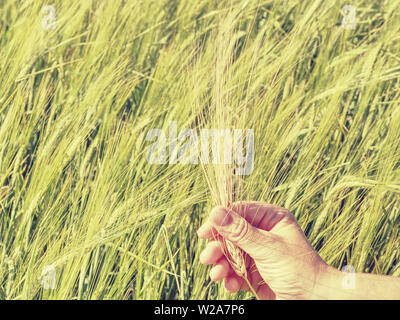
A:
(280, 261)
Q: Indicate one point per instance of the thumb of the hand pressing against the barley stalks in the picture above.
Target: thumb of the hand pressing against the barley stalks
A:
(241, 233)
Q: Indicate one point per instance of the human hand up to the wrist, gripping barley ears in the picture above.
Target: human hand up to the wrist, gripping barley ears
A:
(280, 262)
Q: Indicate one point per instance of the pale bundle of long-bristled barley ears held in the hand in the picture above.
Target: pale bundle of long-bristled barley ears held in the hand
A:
(225, 114)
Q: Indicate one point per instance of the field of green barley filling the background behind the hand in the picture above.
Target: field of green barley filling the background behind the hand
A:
(76, 103)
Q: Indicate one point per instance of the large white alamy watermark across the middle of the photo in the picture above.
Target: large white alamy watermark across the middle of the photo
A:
(235, 147)
